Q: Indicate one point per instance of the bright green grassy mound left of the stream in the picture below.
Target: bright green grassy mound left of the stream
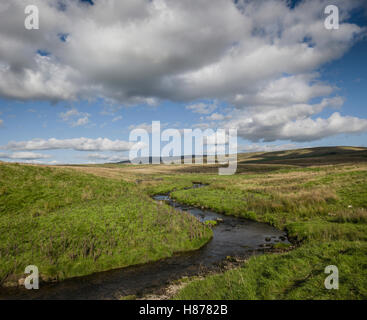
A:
(72, 224)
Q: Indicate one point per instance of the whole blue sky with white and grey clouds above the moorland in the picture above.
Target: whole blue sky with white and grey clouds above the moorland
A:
(72, 90)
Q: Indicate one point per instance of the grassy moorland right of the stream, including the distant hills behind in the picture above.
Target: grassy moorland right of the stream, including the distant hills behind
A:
(319, 196)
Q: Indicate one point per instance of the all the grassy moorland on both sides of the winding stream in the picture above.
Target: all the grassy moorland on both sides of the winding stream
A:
(319, 196)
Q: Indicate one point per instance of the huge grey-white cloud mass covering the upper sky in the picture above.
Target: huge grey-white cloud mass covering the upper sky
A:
(258, 56)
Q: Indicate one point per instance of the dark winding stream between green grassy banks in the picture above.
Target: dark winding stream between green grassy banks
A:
(232, 237)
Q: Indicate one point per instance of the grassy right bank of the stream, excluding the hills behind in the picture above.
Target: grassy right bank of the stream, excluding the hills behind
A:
(323, 209)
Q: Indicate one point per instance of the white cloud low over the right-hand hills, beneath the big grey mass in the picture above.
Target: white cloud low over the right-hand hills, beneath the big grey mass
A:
(293, 122)
